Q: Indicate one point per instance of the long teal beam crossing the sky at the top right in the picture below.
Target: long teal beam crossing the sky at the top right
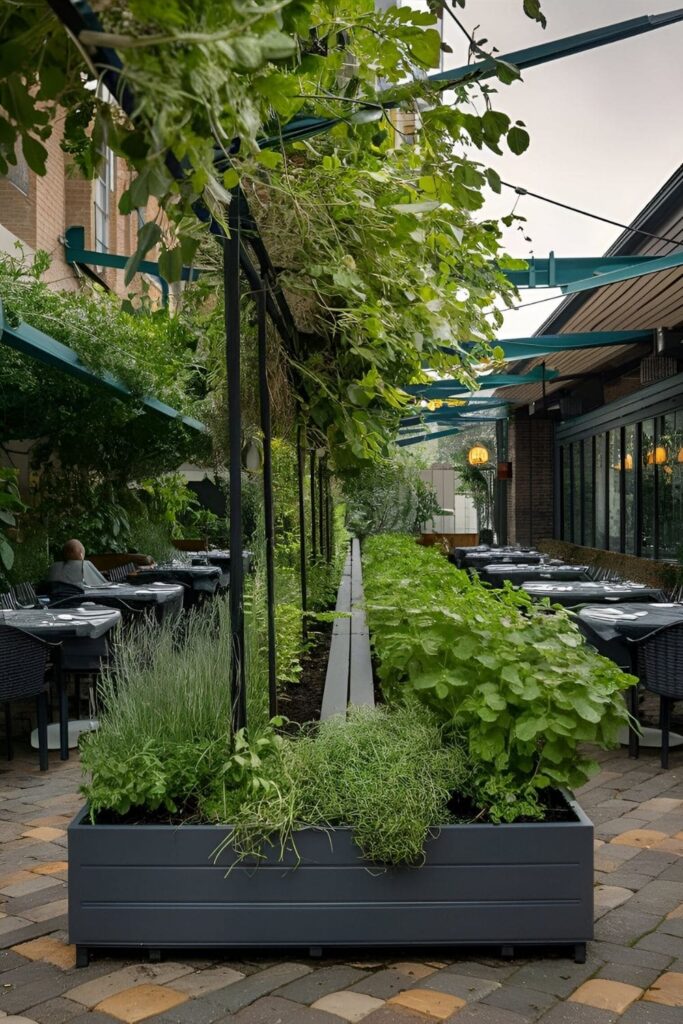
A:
(532, 57)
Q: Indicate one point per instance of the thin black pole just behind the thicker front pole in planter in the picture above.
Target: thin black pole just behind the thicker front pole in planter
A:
(269, 519)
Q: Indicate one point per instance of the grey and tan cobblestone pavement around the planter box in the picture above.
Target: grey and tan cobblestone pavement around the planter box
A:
(634, 973)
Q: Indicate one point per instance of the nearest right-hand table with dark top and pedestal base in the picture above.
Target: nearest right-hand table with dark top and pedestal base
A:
(630, 624)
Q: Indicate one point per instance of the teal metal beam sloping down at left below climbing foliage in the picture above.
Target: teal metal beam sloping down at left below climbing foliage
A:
(53, 354)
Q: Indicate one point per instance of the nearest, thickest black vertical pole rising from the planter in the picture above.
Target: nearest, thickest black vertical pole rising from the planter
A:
(233, 342)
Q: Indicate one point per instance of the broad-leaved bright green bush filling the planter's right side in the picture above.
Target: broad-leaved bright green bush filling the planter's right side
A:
(518, 684)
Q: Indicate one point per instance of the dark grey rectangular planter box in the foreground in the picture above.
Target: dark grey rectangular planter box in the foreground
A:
(157, 887)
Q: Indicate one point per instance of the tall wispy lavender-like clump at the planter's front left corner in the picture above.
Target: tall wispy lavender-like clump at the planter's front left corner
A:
(165, 718)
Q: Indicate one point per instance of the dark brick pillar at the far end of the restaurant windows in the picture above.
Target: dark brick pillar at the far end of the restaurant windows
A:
(531, 490)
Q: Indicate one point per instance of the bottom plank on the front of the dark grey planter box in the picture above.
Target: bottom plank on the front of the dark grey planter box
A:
(361, 924)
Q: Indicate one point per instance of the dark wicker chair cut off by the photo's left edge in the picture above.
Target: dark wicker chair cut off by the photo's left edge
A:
(23, 662)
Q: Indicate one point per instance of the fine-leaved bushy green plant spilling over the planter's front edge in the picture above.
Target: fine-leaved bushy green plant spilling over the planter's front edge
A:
(386, 773)
